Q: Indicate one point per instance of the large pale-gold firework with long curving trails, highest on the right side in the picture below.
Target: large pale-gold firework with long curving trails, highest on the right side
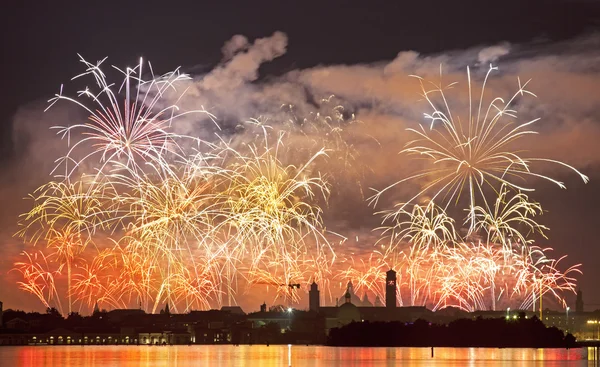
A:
(472, 154)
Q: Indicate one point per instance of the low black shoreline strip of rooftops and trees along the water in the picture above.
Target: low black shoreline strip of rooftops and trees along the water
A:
(134, 326)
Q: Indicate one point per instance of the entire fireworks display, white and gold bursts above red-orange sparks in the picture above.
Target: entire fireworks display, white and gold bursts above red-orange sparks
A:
(142, 215)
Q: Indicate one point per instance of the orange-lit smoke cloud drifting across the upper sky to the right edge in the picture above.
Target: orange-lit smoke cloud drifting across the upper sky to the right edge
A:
(385, 97)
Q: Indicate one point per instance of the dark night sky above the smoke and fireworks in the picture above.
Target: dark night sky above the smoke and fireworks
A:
(40, 43)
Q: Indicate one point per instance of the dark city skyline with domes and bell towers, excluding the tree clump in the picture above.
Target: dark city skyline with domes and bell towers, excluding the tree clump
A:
(230, 325)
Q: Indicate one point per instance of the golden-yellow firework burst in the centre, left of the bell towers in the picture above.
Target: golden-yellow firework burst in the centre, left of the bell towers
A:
(270, 212)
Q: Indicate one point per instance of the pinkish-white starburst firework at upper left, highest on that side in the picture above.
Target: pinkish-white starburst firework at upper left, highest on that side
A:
(133, 131)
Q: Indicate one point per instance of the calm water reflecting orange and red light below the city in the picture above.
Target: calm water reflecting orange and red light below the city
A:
(275, 355)
